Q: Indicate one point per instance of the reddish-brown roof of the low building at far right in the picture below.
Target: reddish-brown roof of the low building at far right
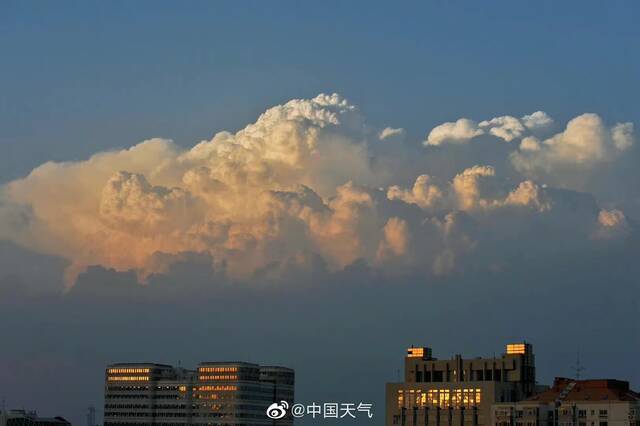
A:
(596, 390)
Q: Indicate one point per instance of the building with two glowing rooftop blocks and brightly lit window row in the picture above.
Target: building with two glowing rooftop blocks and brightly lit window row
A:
(458, 391)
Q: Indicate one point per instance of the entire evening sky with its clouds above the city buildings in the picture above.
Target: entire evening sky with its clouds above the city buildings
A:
(315, 185)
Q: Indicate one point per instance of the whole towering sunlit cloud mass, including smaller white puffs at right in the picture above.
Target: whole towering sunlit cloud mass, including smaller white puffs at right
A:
(299, 182)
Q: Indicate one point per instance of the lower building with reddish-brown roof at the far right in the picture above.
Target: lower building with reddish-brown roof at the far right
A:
(574, 403)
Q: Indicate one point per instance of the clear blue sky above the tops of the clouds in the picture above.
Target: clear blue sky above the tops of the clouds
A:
(80, 77)
